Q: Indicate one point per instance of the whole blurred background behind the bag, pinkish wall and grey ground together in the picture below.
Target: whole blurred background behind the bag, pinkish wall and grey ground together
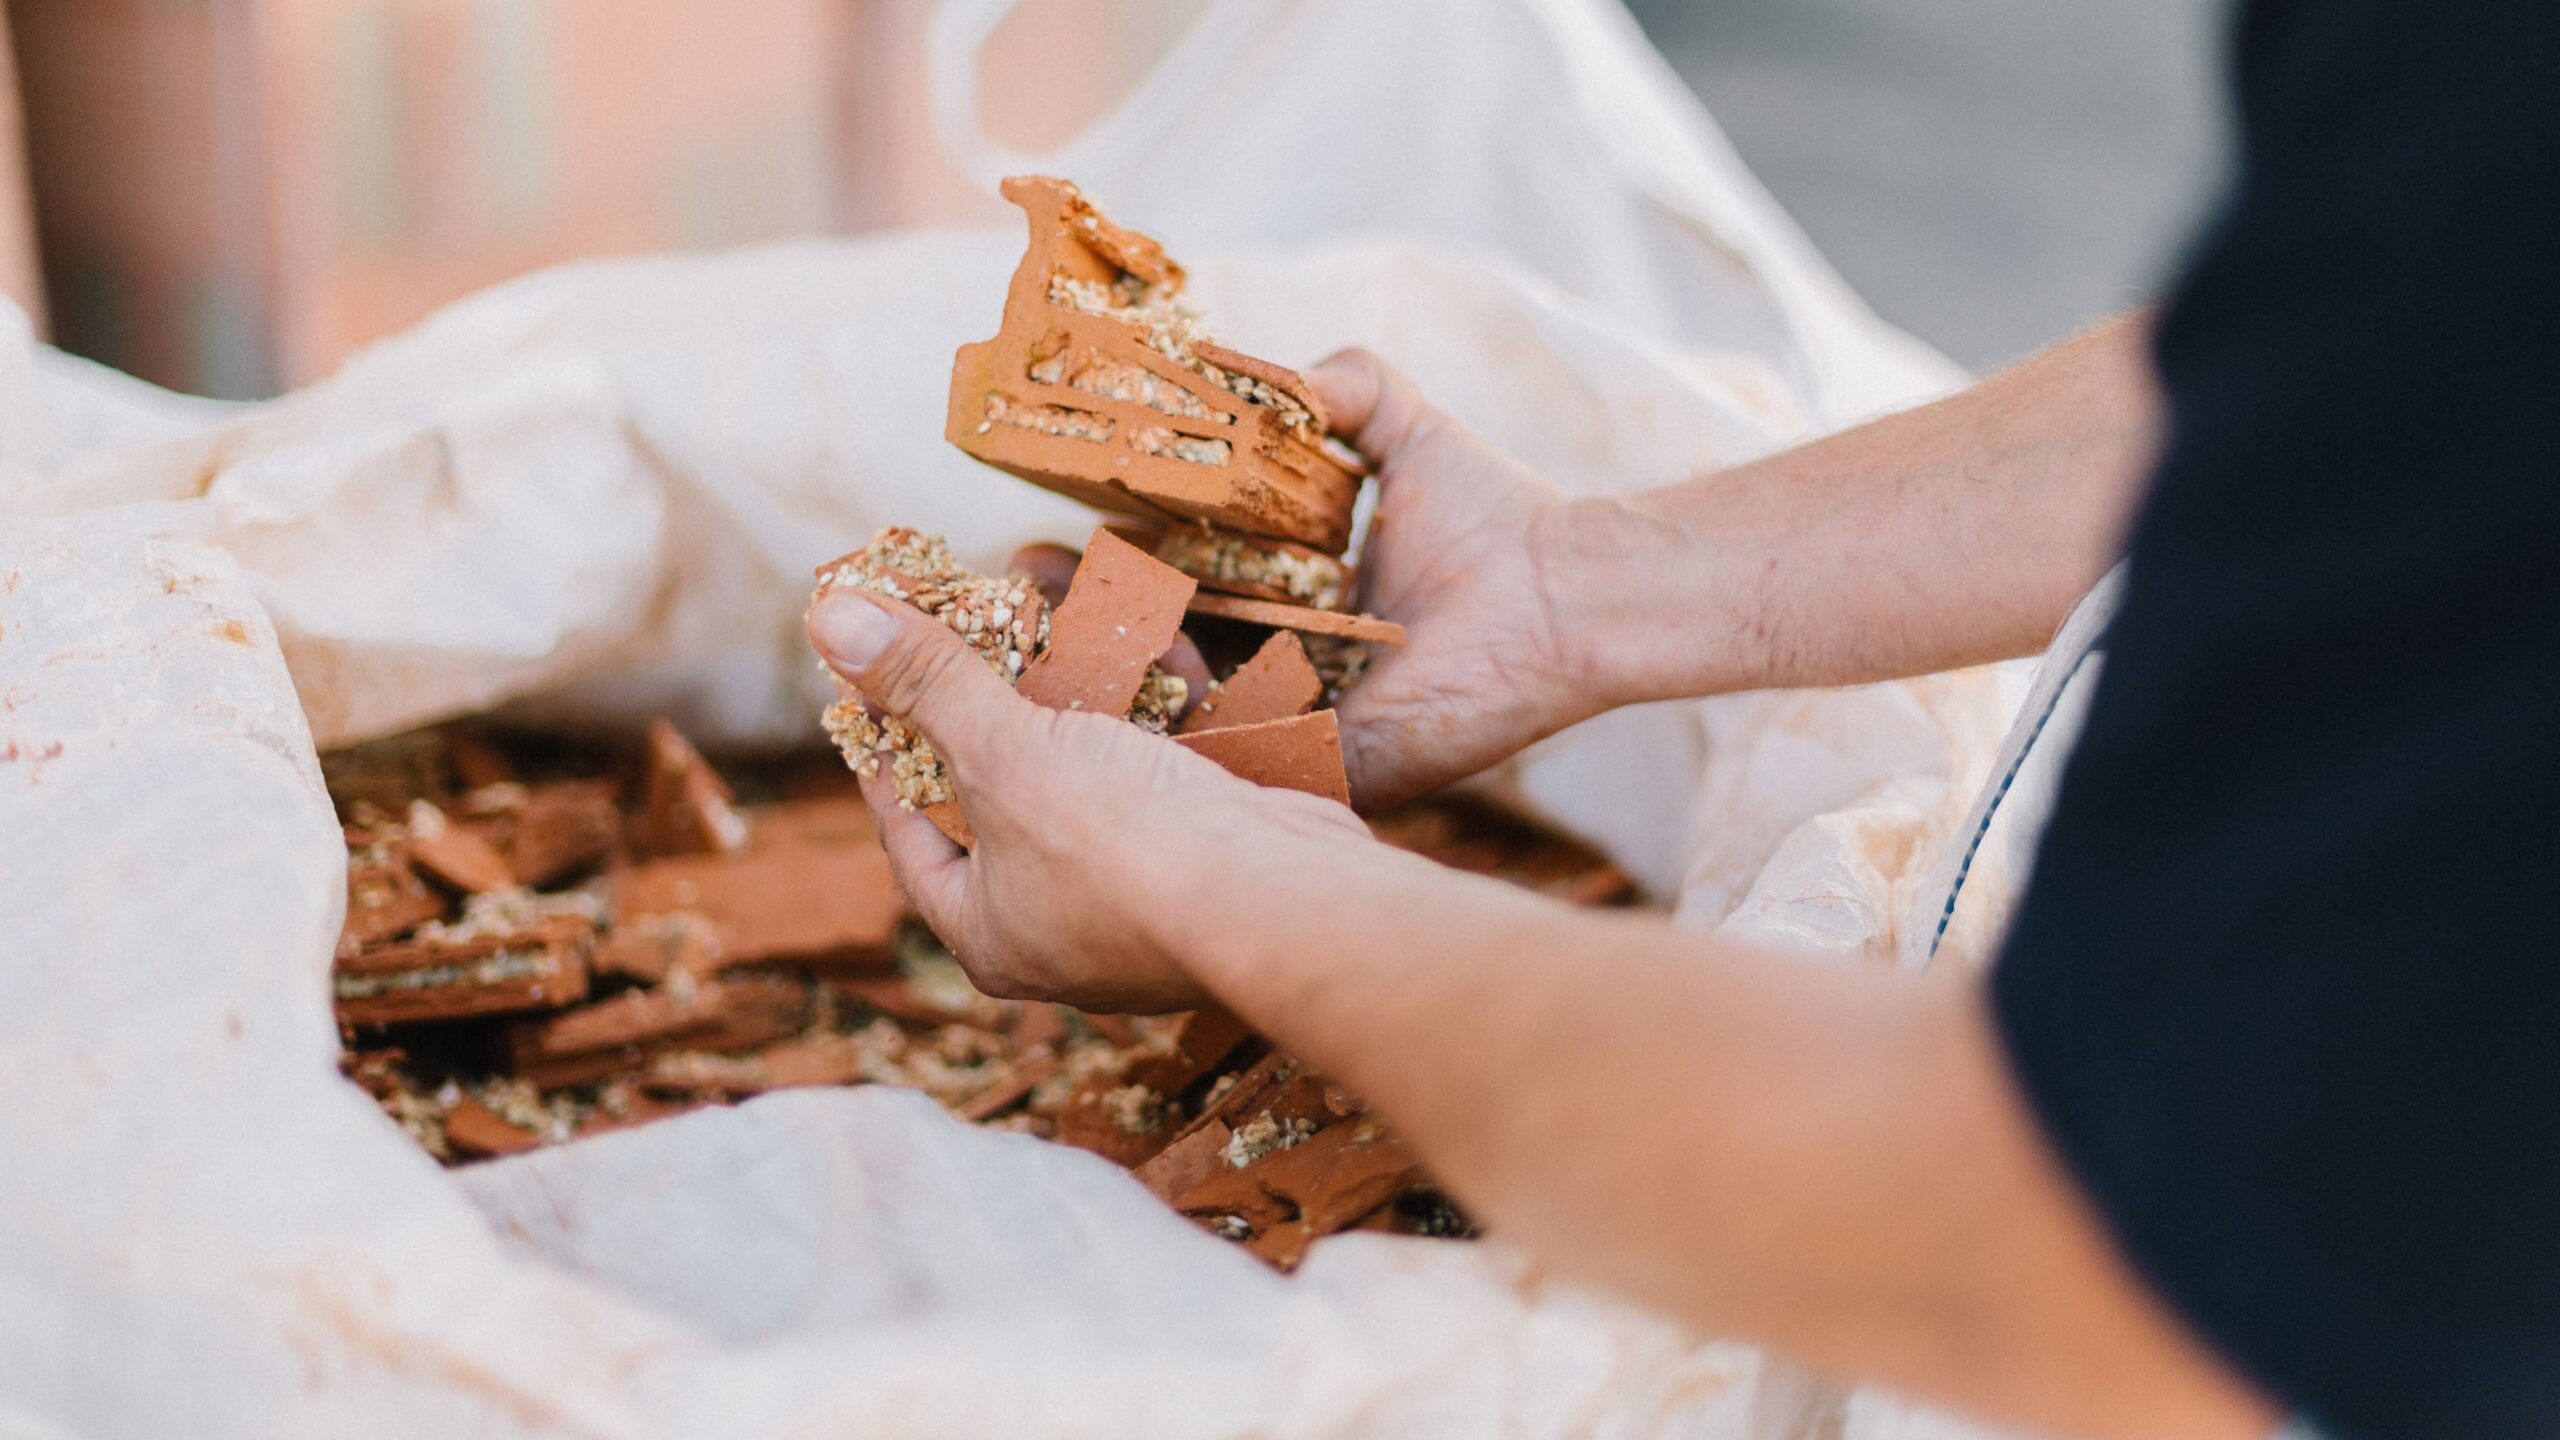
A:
(227, 196)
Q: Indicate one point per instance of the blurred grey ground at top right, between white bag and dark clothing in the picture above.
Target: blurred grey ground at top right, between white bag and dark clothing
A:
(1988, 173)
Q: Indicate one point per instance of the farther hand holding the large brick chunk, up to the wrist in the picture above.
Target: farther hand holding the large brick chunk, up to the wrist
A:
(1463, 557)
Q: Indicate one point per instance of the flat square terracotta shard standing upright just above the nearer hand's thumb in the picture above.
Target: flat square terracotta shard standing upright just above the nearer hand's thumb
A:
(1120, 616)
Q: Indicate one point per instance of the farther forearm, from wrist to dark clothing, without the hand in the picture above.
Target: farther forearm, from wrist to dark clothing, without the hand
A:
(1934, 539)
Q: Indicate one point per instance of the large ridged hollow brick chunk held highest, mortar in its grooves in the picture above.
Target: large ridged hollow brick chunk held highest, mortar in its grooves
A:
(1102, 388)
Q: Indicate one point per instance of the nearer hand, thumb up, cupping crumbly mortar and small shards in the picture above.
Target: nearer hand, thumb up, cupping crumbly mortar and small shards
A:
(1105, 855)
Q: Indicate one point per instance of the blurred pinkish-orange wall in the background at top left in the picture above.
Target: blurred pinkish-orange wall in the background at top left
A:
(234, 193)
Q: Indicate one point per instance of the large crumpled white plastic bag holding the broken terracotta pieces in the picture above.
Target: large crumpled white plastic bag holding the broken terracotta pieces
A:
(598, 496)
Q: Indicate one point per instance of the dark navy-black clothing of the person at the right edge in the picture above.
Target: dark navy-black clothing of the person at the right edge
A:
(2287, 980)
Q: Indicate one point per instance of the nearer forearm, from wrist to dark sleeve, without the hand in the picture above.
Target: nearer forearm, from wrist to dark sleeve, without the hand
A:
(1809, 1154)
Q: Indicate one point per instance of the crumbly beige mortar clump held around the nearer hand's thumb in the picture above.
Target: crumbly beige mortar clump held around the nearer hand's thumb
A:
(1000, 619)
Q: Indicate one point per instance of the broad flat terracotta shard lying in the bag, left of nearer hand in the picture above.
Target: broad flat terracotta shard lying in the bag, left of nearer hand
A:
(780, 903)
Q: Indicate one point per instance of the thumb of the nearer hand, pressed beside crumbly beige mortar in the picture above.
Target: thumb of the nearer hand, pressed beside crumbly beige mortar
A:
(913, 665)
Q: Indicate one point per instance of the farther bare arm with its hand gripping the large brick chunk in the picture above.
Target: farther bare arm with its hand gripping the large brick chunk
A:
(1942, 537)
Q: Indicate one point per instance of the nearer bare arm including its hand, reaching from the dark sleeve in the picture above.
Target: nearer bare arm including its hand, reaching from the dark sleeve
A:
(1821, 1157)
